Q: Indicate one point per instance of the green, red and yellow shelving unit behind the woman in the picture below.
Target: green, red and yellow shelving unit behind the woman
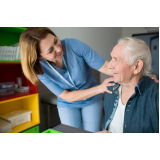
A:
(9, 71)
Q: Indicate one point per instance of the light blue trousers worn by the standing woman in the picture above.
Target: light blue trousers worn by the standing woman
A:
(91, 116)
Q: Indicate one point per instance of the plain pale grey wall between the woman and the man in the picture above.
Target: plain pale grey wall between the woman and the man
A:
(100, 39)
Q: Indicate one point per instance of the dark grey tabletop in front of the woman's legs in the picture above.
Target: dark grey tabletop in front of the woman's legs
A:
(68, 129)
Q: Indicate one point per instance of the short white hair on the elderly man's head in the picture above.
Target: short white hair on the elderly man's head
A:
(137, 49)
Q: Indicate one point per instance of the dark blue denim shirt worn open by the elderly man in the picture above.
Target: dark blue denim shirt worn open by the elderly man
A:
(142, 115)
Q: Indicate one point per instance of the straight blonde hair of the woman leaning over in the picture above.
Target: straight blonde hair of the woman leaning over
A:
(30, 51)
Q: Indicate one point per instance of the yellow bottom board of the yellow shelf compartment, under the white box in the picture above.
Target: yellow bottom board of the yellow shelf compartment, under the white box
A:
(24, 126)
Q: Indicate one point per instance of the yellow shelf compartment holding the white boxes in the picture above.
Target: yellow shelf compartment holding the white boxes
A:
(29, 102)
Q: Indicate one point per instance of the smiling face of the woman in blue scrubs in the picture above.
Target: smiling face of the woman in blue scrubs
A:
(51, 48)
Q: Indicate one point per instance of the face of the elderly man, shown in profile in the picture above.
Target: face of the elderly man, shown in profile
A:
(122, 71)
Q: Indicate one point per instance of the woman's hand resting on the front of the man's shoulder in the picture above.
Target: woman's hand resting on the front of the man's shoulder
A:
(103, 87)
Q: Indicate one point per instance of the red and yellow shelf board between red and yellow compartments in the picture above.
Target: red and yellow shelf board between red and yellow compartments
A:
(15, 96)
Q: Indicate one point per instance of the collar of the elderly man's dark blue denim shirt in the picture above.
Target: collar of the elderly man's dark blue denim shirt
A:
(139, 88)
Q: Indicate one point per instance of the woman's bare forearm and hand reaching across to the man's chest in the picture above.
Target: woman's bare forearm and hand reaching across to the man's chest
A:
(78, 95)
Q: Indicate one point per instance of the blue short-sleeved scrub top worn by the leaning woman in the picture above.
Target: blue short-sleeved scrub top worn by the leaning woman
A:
(78, 57)
